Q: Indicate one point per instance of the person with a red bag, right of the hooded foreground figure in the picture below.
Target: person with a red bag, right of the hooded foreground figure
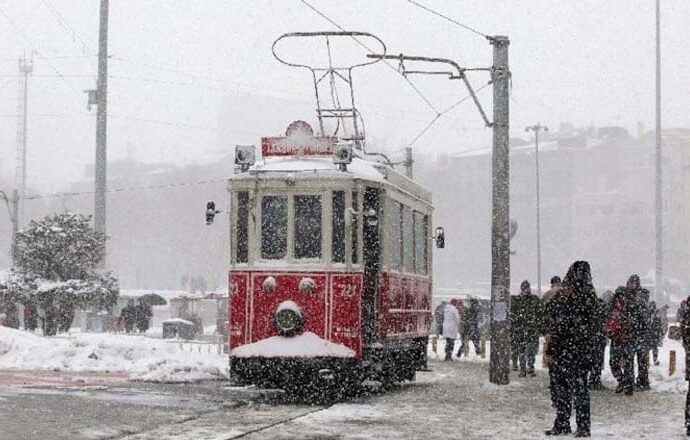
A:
(621, 328)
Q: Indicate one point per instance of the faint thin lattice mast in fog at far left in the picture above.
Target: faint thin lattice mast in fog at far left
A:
(26, 66)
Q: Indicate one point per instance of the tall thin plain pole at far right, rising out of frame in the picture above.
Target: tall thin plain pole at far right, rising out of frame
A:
(658, 180)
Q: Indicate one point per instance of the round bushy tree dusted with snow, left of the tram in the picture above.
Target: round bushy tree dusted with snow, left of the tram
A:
(57, 259)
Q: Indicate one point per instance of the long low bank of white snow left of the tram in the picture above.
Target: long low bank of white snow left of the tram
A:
(143, 358)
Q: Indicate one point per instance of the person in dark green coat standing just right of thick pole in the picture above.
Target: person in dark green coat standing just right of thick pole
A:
(526, 315)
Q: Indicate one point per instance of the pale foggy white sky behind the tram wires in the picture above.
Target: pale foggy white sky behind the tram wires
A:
(177, 63)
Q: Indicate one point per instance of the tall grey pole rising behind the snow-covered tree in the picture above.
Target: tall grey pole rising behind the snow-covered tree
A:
(100, 167)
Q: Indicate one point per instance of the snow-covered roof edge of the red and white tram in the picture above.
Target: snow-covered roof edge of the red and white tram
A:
(297, 167)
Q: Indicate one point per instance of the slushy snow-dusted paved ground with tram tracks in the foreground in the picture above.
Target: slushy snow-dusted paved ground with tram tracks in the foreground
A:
(453, 401)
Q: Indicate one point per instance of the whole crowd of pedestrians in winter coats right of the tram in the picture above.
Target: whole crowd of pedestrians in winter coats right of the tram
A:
(577, 325)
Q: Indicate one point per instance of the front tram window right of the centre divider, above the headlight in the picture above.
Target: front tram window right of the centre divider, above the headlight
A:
(307, 227)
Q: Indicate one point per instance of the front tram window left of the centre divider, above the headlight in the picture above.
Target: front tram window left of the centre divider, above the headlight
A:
(273, 227)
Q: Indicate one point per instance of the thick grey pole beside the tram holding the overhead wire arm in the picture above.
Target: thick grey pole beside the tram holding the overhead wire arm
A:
(499, 366)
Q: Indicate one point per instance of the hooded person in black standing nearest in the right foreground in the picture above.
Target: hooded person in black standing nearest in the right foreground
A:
(570, 326)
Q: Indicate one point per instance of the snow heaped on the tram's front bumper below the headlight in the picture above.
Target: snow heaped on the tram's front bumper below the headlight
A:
(305, 345)
